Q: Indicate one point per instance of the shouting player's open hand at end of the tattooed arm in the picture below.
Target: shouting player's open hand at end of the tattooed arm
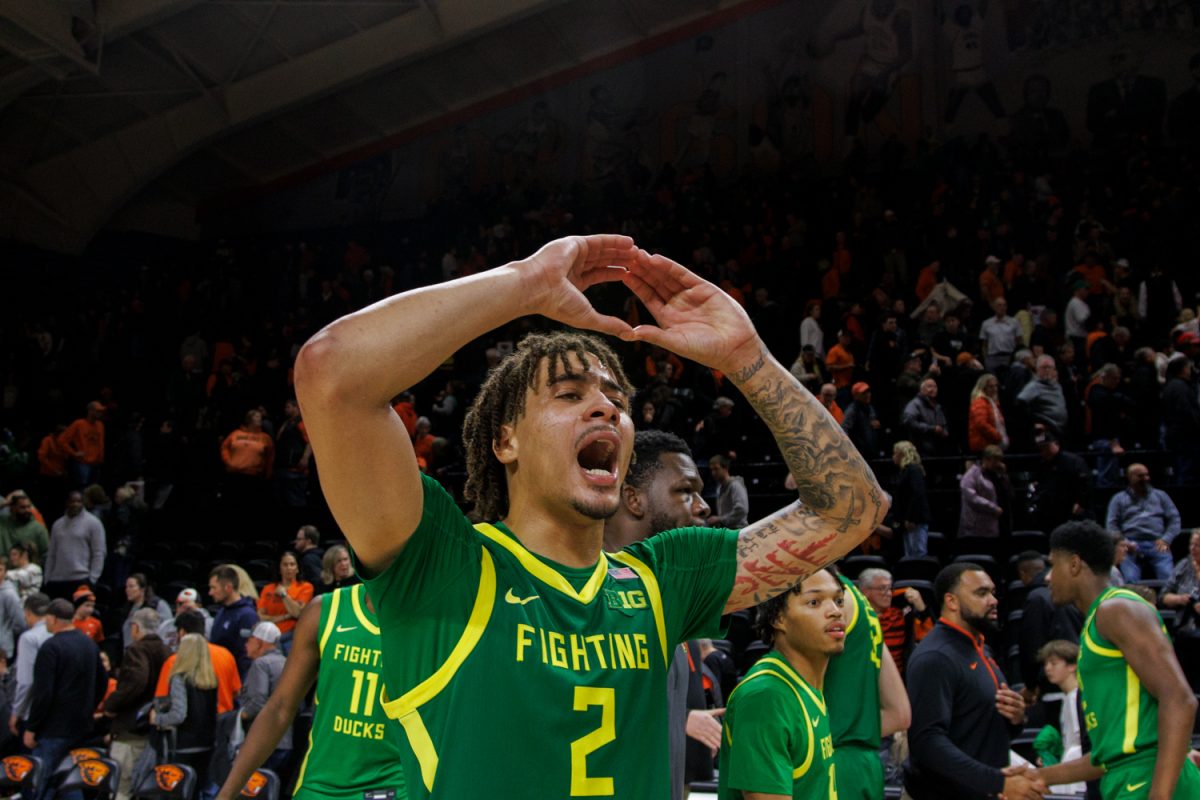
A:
(695, 320)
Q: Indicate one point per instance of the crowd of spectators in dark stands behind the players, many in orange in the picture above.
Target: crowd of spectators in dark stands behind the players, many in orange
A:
(1009, 338)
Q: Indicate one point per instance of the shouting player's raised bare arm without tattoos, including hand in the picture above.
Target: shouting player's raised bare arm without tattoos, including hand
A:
(347, 375)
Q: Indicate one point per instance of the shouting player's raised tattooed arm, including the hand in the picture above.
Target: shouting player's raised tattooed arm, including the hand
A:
(841, 501)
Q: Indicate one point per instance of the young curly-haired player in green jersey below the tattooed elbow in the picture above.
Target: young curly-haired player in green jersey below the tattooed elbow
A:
(777, 743)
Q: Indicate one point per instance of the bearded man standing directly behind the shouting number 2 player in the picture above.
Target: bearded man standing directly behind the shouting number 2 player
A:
(663, 492)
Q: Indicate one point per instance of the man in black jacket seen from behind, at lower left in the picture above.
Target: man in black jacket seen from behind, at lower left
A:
(69, 683)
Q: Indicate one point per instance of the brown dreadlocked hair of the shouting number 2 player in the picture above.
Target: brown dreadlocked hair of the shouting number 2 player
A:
(502, 401)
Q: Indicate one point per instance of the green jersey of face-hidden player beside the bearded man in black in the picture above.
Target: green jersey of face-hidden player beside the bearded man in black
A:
(853, 681)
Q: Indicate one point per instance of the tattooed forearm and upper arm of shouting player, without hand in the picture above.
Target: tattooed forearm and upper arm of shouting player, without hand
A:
(841, 503)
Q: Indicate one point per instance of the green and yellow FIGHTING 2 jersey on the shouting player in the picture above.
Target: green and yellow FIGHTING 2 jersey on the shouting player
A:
(543, 681)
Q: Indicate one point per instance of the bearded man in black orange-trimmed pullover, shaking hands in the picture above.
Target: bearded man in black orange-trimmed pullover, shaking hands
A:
(964, 714)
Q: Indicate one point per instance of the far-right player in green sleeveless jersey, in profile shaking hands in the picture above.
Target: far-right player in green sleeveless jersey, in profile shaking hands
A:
(1138, 707)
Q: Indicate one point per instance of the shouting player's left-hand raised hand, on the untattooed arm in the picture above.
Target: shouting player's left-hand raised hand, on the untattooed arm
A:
(559, 274)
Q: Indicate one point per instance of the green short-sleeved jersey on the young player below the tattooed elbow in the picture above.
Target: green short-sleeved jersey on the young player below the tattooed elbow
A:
(777, 737)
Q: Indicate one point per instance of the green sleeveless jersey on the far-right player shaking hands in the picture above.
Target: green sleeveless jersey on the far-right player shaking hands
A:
(1121, 715)
